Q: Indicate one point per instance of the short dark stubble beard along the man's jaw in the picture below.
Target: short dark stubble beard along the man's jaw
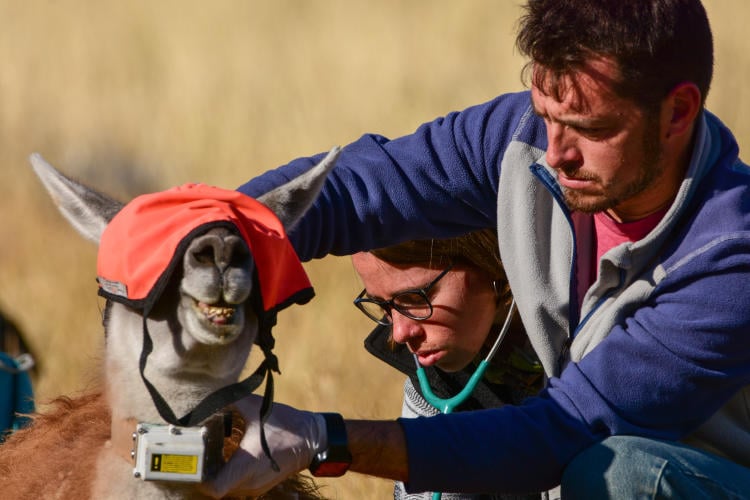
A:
(649, 170)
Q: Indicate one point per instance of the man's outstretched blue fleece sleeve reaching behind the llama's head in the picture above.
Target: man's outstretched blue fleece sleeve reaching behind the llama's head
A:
(439, 181)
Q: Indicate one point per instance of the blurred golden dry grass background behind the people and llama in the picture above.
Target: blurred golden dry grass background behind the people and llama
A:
(140, 96)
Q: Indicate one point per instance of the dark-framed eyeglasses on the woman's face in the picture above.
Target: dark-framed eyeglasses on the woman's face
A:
(414, 303)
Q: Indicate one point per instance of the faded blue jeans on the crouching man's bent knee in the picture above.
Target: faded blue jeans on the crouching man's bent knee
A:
(625, 467)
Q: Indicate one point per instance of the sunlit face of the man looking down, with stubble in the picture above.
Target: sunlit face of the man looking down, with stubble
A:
(607, 151)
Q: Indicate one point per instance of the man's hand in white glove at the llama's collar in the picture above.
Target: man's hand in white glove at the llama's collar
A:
(294, 438)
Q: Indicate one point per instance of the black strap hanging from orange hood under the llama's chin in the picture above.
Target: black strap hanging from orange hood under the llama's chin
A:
(220, 398)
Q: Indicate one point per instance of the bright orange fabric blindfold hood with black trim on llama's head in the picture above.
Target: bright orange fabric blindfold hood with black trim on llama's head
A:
(144, 242)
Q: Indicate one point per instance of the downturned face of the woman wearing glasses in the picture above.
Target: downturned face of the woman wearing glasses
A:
(463, 301)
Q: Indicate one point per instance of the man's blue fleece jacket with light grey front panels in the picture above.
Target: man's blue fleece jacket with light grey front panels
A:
(659, 345)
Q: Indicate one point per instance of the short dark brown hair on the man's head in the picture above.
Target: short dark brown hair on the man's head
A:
(656, 44)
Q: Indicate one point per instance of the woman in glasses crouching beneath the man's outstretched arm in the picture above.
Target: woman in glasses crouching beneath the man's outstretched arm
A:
(443, 304)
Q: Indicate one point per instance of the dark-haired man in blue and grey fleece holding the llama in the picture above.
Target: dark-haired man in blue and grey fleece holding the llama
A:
(623, 216)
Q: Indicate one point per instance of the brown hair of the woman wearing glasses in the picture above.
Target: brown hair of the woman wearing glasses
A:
(478, 249)
